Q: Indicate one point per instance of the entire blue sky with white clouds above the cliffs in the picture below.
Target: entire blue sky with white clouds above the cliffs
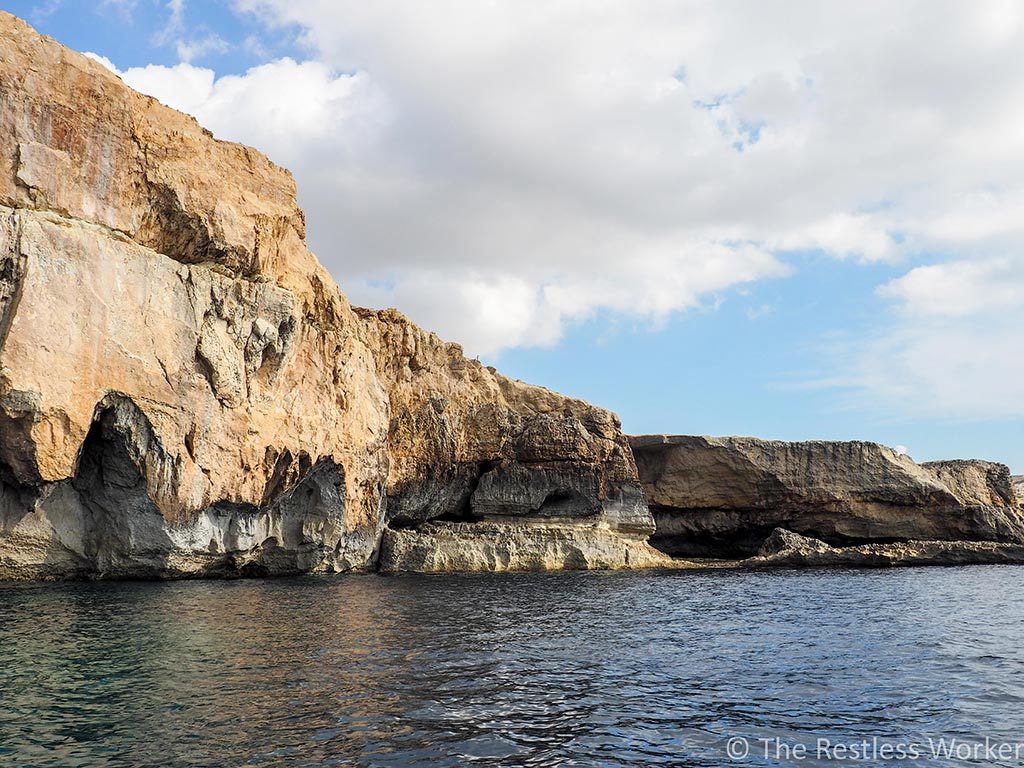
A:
(791, 220)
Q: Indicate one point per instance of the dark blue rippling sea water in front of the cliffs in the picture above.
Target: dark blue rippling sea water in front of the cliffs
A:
(591, 669)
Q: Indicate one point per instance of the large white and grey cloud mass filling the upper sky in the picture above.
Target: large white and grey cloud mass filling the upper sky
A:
(499, 170)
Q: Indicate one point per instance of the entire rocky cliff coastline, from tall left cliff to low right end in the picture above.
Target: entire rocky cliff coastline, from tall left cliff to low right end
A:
(185, 393)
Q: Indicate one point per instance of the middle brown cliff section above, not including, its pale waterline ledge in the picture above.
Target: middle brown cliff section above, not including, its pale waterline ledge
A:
(467, 444)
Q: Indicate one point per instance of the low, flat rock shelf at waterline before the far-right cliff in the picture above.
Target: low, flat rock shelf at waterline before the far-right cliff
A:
(786, 549)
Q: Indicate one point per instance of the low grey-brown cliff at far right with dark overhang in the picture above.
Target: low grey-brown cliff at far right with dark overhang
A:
(724, 496)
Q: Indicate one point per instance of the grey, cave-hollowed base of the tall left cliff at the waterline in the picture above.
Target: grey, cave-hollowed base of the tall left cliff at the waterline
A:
(118, 517)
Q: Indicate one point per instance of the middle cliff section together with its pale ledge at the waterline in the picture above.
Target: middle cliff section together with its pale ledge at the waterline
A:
(486, 460)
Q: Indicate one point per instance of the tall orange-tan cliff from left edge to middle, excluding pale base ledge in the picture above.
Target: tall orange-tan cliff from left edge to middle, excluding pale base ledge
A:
(184, 390)
